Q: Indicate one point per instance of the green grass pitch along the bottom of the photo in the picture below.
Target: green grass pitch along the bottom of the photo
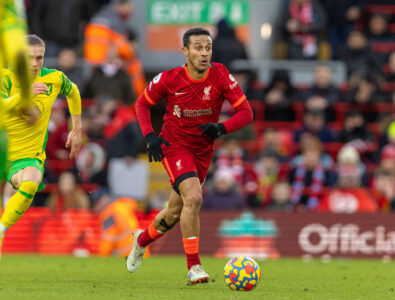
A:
(35, 277)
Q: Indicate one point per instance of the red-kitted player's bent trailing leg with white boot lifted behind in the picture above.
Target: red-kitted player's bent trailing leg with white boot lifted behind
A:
(162, 223)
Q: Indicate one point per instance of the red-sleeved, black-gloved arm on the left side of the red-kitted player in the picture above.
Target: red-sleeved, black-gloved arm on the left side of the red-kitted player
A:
(151, 96)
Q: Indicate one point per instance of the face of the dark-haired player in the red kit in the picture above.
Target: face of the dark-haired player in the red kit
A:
(199, 52)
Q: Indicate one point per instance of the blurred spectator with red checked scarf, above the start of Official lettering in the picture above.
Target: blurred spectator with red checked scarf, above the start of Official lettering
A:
(309, 178)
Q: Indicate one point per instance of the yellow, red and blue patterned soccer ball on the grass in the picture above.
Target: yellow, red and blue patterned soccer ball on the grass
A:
(242, 273)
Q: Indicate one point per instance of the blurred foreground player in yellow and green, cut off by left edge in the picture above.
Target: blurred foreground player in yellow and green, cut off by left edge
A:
(13, 51)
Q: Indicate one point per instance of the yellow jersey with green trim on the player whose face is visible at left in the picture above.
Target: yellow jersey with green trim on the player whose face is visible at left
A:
(26, 140)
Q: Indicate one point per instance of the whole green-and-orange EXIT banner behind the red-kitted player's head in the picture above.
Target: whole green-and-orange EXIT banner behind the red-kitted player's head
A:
(169, 19)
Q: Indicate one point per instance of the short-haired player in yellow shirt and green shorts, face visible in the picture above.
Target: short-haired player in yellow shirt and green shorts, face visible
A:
(27, 140)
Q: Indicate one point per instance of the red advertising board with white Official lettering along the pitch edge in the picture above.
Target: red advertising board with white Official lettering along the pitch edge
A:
(223, 234)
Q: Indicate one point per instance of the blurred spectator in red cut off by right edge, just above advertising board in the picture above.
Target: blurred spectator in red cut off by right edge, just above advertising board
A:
(384, 190)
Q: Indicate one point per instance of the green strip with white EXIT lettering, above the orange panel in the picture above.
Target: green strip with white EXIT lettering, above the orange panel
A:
(197, 11)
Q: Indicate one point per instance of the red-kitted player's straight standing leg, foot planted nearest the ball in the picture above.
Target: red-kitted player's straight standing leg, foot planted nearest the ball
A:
(191, 193)
